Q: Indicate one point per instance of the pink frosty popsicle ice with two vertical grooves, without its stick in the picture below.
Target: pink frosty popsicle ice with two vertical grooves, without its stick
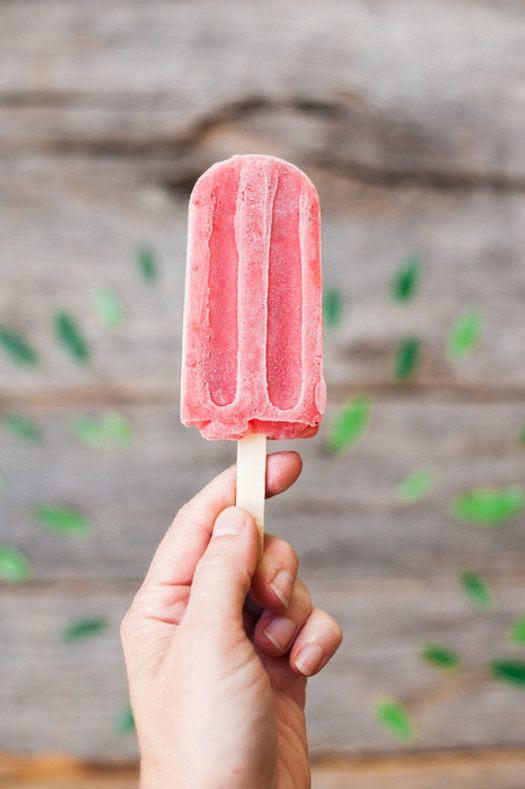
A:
(252, 347)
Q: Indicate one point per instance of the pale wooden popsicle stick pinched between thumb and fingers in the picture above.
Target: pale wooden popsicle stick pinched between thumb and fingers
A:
(251, 479)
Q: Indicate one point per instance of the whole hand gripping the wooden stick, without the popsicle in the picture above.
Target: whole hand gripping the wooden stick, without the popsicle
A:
(218, 649)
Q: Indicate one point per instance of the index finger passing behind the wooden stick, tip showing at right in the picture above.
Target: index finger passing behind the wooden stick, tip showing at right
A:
(187, 538)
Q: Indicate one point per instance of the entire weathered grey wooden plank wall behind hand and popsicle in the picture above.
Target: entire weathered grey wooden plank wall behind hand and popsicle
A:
(409, 116)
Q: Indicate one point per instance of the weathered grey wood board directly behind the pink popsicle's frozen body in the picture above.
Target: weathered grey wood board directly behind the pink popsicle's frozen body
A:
(72, 227)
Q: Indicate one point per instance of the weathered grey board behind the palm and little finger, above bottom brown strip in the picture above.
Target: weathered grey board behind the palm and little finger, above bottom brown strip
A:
(81, 686)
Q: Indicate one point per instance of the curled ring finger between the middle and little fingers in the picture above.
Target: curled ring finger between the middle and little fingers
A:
(275, 633)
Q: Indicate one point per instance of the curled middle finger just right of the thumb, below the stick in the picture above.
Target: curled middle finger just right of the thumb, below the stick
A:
(275, 574)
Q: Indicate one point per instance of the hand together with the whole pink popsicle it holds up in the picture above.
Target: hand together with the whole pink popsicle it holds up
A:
(218, 645)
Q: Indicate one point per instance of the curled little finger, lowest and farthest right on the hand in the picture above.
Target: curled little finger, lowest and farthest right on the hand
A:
(315, 644)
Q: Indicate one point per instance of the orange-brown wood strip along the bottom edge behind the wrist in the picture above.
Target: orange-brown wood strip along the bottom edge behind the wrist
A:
(21, 770)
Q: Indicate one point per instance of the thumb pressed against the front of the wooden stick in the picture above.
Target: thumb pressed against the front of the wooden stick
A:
(223, 575)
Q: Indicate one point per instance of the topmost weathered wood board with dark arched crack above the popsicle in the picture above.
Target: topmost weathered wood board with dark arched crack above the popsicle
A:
(428, 90)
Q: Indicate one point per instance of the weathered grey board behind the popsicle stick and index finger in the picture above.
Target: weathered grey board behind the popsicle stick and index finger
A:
(343, 515)
